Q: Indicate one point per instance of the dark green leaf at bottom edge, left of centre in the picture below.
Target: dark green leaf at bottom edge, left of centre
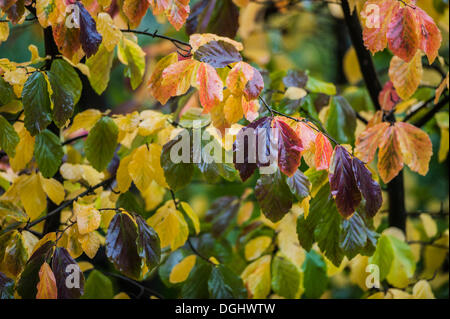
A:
(196, 285)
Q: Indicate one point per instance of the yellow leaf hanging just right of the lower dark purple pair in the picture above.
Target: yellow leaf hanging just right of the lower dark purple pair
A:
(170, 225)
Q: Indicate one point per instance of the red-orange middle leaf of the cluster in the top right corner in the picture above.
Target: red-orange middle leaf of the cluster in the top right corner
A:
(403, 33)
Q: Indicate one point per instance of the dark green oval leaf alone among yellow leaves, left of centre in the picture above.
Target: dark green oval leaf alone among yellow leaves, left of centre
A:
(101, 143)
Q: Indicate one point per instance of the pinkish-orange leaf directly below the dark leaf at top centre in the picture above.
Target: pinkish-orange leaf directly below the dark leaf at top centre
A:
(210, 87)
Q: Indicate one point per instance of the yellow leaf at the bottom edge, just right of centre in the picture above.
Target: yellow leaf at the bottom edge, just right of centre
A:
(257, 278)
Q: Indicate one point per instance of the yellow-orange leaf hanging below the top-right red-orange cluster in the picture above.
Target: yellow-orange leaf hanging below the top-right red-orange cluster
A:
(406, 76)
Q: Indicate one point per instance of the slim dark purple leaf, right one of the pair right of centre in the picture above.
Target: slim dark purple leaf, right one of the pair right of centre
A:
(369, 188)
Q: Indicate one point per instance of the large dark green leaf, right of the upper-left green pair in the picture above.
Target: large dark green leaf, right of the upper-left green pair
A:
(66, 87)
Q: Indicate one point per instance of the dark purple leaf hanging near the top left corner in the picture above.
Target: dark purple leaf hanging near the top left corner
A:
(89, 37)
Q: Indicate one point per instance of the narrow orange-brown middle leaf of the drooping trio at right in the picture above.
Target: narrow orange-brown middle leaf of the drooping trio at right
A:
(390, 161)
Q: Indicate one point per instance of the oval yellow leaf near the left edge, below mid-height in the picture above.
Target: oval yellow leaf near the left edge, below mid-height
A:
(32, 196)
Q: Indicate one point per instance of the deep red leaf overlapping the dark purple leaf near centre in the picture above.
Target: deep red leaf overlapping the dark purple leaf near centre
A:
(289, 148)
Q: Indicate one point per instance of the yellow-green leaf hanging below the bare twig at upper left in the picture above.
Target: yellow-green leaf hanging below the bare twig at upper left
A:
(132, 55)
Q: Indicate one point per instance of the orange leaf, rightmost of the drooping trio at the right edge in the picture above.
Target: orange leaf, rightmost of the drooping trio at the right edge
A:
(415, 146)
